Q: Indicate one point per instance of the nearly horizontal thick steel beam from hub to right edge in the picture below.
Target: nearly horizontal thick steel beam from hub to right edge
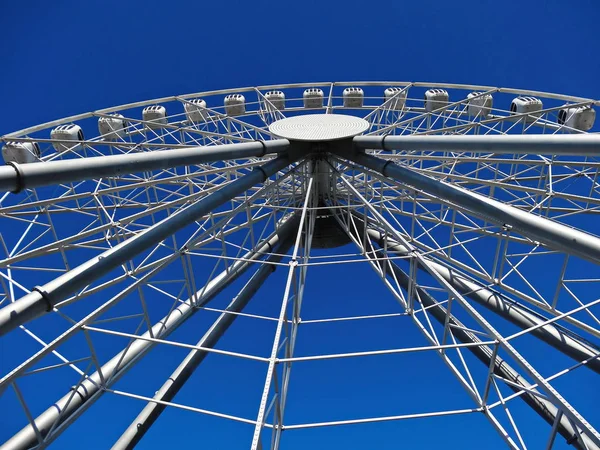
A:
(539, 144)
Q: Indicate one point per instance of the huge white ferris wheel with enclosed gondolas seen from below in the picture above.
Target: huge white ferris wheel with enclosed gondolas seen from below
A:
(135, 241)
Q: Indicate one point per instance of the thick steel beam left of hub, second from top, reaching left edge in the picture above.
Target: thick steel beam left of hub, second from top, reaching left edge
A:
(42, 299)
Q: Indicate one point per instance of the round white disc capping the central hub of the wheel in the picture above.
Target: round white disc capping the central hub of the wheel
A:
(319, 127)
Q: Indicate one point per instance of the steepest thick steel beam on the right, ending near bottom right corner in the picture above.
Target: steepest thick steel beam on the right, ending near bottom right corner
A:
(487, 356)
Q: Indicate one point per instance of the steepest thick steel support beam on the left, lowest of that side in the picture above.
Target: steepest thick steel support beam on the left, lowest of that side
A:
(146, 418)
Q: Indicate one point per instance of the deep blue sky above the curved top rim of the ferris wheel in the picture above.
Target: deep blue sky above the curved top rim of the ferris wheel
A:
(66, 58)
